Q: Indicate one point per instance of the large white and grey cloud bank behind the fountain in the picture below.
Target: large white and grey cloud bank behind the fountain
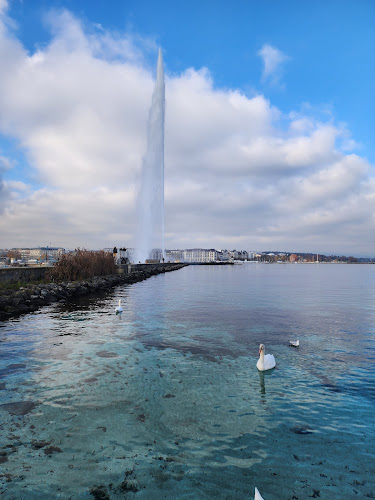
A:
(236, 176)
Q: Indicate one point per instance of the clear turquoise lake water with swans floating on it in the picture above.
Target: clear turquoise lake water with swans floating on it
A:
(165, 401)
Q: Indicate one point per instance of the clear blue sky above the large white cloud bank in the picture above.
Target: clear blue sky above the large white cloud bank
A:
(330, 46)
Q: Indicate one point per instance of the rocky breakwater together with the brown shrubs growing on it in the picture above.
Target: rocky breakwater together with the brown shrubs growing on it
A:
(82, 273)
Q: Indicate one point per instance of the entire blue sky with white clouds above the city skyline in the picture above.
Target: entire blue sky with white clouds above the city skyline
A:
(269, 124)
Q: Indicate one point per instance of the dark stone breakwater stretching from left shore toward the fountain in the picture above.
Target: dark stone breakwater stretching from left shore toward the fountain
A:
(31, 297)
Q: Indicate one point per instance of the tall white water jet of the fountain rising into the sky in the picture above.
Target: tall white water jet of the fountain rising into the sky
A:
(150, 202)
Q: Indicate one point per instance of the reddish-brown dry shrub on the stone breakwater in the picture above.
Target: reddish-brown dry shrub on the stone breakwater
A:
(83, 264)
